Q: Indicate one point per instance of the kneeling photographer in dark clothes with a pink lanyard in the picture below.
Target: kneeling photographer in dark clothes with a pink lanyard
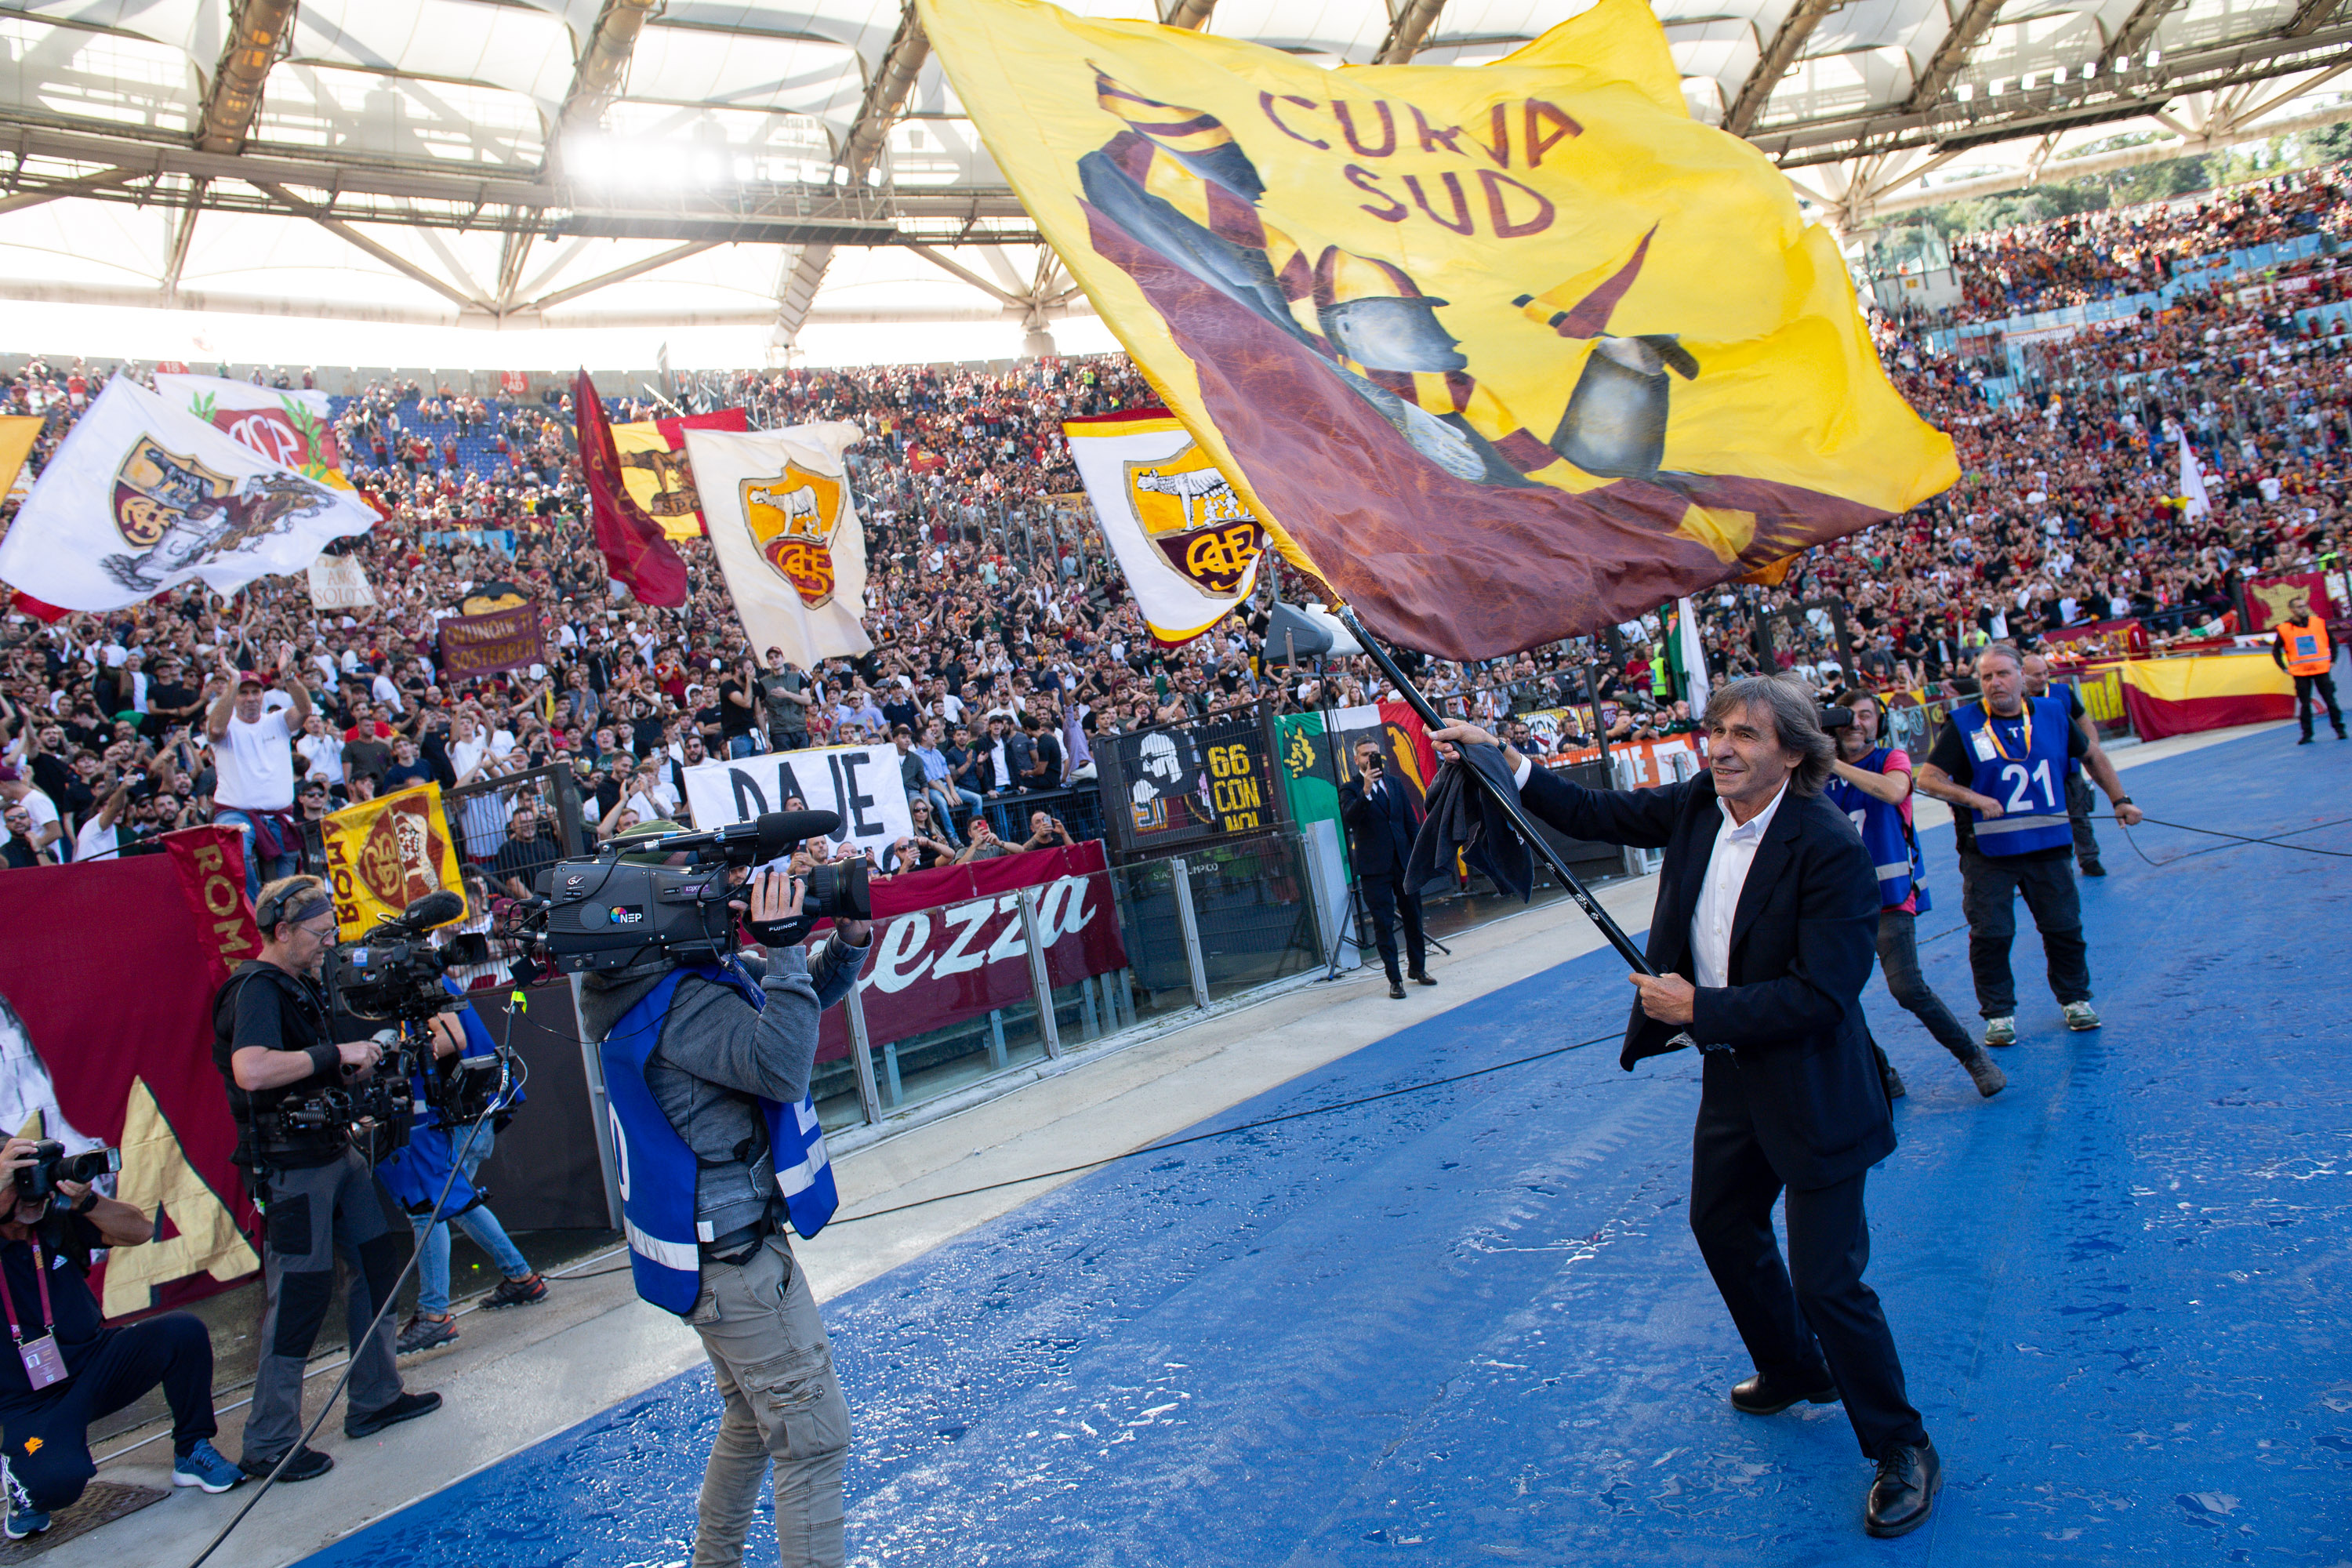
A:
(69, 1367)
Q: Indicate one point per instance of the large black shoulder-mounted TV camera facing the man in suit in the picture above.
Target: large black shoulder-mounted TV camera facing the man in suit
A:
(617, 913)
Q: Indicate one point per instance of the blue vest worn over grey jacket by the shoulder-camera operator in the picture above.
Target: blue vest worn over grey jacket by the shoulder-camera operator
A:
(660, 1170)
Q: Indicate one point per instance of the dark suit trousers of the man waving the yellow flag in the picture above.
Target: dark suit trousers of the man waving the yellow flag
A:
(1810, 1320)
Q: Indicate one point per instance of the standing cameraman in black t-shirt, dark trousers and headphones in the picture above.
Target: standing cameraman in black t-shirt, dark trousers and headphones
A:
(276, 1047)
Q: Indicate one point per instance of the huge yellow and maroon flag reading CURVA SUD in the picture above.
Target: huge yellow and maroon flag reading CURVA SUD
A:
(1504, 354)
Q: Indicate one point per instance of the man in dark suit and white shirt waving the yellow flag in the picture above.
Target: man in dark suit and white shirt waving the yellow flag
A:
(1763, 939)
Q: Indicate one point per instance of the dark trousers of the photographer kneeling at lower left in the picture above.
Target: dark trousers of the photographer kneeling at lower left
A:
(48, 1433)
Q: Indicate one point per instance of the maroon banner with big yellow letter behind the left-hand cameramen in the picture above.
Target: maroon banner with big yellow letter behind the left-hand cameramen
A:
(98, 1061)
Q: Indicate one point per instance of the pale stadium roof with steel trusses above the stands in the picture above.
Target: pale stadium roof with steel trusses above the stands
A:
(537, 163)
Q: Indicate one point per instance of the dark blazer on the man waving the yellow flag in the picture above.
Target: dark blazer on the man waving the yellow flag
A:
(1803, 944)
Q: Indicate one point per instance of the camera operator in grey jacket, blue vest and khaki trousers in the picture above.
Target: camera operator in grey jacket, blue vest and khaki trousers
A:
(709, 1068)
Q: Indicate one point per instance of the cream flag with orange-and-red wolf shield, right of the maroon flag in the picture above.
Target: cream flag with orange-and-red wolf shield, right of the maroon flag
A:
(787, 535)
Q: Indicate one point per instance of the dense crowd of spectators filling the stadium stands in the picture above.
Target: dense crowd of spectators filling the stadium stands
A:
(1003, 634)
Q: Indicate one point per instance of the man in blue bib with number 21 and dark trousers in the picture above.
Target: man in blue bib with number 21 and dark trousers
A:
(2003, 765)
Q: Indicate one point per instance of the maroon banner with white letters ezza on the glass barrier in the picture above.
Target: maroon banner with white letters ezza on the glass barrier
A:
(940, 967)
